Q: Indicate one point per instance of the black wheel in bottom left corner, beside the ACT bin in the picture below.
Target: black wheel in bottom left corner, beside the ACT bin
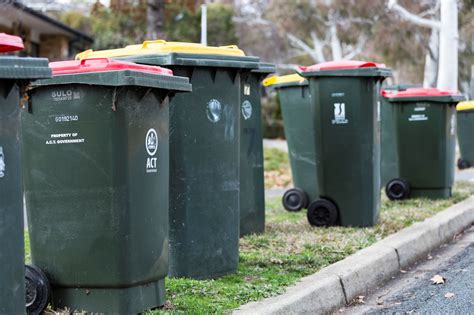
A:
(37, 290)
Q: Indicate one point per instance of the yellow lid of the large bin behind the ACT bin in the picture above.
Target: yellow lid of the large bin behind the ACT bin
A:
(162, 47)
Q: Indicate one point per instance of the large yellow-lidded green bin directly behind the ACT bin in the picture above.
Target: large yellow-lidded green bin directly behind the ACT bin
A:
(204, 151)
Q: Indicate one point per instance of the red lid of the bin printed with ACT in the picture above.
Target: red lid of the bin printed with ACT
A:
(102, 65)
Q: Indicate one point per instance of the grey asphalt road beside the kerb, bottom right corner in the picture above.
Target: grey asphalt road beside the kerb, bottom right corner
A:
(413, 292)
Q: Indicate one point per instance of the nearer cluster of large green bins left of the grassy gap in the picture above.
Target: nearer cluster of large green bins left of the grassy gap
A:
(133, 163)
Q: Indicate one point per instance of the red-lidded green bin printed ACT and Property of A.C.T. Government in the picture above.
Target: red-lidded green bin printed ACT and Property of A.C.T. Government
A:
(96, 178)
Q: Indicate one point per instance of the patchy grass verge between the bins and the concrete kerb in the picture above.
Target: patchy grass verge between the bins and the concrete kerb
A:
(291, 249)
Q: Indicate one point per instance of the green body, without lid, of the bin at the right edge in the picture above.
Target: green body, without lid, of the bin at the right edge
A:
(466, 135)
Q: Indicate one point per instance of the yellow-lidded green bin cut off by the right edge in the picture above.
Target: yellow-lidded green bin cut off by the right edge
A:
(465, 114)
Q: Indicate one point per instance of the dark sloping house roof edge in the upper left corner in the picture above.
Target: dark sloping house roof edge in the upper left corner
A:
(38, 20)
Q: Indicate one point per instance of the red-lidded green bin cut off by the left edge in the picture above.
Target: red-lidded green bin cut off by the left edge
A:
(15, 76)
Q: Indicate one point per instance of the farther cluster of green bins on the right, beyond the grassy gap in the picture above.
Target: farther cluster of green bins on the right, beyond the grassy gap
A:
(339, 121)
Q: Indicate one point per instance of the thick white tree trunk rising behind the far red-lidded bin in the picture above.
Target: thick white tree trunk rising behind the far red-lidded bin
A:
(448, 52)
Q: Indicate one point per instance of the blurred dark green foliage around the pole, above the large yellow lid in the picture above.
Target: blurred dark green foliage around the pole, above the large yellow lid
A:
(126, 22)
